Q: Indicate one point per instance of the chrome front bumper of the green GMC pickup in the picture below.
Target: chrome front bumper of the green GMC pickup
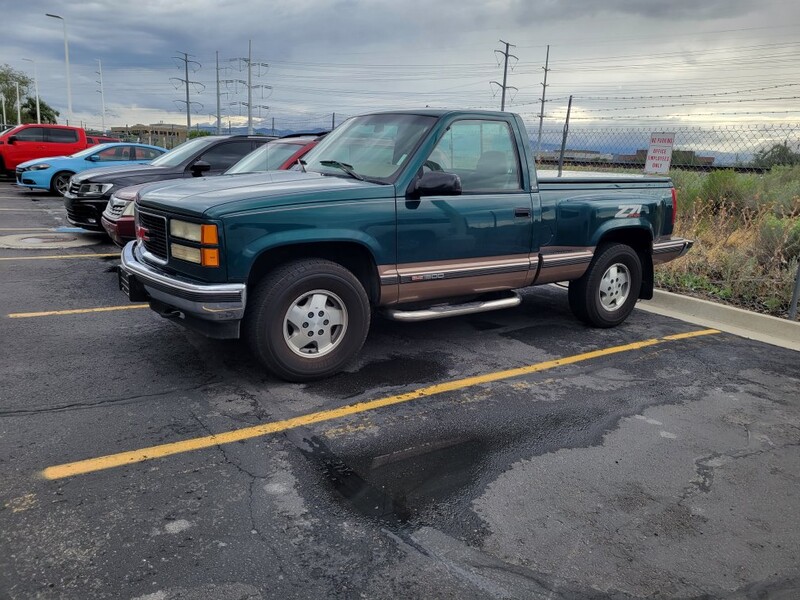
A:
(207, 302)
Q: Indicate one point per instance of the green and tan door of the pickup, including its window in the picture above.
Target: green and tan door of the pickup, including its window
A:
(479, 241)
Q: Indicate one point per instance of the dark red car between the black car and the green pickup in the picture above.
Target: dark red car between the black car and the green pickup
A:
(278, 155)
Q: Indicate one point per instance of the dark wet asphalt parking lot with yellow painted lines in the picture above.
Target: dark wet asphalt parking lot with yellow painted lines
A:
(515, 454)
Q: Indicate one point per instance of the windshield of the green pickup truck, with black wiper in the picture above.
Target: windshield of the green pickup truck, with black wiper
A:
(374, 147)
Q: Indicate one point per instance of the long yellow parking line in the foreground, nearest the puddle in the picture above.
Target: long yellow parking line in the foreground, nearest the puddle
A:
(136, 456)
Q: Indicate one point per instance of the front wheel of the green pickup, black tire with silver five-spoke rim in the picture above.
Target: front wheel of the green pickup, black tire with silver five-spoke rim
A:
(332, 291)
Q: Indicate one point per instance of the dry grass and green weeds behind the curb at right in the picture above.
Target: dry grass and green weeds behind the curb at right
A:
(747, 238)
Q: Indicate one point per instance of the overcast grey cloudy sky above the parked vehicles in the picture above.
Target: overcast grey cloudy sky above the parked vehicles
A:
(627, 62)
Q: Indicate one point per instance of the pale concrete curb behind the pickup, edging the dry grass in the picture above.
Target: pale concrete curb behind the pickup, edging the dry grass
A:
(744, 323)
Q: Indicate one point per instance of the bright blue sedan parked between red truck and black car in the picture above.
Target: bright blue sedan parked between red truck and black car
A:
(53, 173)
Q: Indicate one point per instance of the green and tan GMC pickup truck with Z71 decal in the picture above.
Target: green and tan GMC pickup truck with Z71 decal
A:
(418, 214)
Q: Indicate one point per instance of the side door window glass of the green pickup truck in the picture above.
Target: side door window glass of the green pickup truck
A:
(482, 153)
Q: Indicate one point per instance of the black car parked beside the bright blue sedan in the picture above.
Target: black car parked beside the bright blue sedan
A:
(89, 191)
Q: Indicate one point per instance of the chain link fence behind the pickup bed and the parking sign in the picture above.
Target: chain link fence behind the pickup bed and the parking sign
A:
(740, 147)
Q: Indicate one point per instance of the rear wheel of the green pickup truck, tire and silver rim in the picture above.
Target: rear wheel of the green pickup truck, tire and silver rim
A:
(608, 291)
